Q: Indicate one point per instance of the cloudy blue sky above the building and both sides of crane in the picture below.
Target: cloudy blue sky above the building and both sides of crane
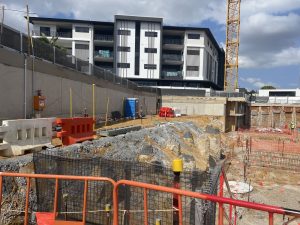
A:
(270, 29)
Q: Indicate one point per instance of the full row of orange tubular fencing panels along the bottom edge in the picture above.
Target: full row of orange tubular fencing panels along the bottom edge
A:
(115, 216)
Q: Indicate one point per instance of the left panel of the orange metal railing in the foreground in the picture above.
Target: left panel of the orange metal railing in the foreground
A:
(53, 203)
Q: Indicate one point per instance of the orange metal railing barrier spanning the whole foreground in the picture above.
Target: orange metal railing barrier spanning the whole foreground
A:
(146, 199)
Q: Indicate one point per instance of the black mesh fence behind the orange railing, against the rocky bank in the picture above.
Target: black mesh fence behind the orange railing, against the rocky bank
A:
(160, 204)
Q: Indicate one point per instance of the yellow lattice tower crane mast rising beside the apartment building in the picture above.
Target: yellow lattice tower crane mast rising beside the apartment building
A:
(232, 45)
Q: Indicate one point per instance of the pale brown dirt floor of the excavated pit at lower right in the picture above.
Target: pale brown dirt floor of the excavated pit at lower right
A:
(270, 186)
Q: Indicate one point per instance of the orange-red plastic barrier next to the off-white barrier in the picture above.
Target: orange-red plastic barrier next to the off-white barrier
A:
(75, 130)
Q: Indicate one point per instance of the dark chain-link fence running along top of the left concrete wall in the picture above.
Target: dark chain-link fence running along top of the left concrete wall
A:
(18, 41)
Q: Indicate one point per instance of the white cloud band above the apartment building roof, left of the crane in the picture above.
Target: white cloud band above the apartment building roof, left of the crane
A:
(173, 11)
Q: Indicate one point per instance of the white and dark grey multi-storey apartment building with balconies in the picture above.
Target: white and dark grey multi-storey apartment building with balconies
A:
(141, 49)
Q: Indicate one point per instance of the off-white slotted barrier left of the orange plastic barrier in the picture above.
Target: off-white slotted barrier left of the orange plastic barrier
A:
(26, 134)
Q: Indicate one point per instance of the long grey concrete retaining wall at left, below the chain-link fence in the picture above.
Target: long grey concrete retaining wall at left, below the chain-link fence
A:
(55, 82)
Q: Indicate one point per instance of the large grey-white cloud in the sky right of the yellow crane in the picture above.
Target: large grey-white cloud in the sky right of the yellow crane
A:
(270, 36)
